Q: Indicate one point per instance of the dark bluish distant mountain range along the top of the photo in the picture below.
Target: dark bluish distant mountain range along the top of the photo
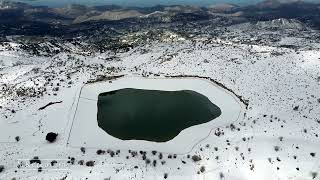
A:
(21, 18)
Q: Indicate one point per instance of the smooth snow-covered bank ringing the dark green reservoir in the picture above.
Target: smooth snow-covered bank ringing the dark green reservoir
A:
(85, 130)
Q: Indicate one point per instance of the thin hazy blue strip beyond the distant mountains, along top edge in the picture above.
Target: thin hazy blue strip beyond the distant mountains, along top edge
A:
(138, 2)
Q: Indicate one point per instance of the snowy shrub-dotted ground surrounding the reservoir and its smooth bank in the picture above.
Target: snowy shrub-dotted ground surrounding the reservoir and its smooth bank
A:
(278, 138)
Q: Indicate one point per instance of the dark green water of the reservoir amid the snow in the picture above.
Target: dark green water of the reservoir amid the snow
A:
(152, 115)
